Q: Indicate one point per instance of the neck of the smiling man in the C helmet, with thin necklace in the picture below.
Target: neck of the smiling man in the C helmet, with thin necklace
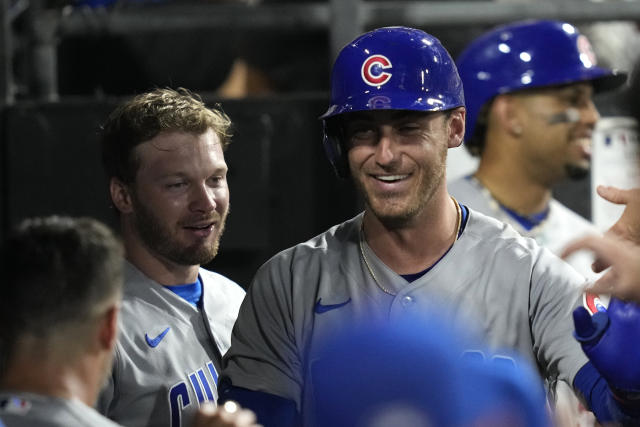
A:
(413, 247)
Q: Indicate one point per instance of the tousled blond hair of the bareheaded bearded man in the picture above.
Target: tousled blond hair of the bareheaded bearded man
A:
(145, 116)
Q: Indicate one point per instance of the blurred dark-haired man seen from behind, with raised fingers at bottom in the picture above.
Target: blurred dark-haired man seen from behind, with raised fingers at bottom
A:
(61, 296)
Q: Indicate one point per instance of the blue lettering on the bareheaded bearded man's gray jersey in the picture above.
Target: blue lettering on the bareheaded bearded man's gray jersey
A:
(202, 386)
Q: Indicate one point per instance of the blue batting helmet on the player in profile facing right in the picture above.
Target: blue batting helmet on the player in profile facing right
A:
(528, 54)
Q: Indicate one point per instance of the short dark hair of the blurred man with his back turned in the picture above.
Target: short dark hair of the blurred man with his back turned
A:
(56, 272)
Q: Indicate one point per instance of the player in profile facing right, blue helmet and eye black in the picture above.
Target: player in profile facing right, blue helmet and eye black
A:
(529, 90)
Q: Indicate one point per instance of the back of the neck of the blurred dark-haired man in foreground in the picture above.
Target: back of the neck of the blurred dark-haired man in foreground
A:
(68, 379)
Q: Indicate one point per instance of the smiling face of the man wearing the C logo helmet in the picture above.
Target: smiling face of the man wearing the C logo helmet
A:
(397, 160)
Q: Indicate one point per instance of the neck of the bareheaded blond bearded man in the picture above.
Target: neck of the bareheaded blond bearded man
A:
(154, 266)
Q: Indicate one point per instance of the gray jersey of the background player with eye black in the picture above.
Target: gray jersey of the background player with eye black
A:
(561, 226)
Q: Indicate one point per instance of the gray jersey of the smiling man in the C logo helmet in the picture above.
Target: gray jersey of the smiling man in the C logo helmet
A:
(520, 296)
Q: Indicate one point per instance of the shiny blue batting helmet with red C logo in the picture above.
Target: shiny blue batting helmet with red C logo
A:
(396, 68)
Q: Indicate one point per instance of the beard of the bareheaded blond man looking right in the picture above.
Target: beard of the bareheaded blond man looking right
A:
(158, 238)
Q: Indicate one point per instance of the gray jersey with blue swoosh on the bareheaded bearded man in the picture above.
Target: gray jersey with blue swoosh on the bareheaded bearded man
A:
(168, 353)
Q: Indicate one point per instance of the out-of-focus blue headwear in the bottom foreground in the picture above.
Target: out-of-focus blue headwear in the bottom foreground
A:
(415, 372)
